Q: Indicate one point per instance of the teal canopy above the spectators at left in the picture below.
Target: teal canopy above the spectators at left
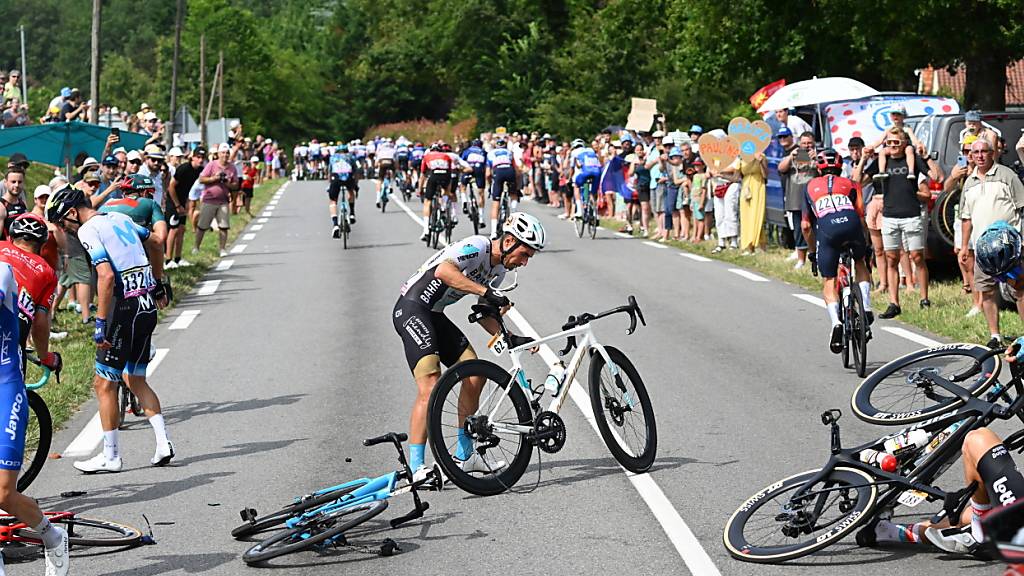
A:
(60, 143)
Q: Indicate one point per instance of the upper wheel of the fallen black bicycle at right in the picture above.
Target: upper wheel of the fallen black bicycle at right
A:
(900, 393)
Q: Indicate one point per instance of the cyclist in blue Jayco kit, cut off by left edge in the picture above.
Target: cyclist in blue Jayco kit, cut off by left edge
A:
(15, 401)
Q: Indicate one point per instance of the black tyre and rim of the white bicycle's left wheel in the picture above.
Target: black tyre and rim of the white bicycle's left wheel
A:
(496, 483)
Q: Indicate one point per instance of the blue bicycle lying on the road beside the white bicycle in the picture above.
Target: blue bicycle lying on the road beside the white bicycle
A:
(322, 519)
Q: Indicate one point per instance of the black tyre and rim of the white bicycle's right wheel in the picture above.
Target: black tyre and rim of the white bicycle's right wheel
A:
(645, 458)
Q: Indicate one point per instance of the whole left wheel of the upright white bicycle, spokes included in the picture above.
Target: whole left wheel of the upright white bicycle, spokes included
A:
(503, 404)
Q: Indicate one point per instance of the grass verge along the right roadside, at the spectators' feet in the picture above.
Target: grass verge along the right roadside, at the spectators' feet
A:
(947, 318)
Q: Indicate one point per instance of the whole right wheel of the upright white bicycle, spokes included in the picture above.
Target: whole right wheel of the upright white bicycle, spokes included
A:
(631, 435)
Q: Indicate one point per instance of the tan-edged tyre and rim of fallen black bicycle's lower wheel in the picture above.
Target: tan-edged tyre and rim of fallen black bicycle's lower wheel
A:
(738, 546)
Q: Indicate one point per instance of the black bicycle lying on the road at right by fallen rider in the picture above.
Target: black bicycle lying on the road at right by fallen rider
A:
(808, 512)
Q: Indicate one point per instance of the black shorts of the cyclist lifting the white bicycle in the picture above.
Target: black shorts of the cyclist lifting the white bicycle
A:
(430, 339)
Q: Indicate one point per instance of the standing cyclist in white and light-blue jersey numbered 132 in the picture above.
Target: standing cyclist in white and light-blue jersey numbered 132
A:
(129, 261)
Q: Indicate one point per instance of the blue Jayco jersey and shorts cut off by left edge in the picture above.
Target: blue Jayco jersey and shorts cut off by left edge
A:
(14, 398)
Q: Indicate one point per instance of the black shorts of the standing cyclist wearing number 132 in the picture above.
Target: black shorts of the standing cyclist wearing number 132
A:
(130, 332)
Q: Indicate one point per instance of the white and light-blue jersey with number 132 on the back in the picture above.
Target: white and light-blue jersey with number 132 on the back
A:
(115, 239)
